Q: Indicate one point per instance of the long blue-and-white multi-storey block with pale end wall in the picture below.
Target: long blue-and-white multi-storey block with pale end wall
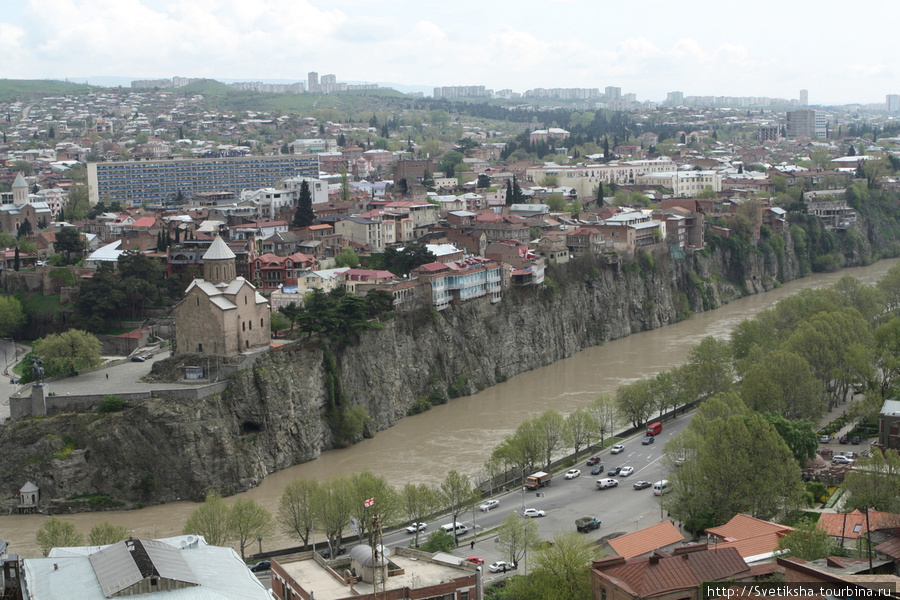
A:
(161, 181)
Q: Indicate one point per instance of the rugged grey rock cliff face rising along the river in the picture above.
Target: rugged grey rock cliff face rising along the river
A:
(273, 415)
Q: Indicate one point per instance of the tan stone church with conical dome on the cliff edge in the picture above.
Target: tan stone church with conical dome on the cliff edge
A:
(221, 314)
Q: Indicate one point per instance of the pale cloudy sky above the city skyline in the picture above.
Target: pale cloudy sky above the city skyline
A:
(646, 47)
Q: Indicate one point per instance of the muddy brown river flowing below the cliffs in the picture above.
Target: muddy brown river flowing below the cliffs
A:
(461, 434)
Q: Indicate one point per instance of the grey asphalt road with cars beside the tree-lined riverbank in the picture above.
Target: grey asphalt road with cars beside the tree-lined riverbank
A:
(622, 509)
